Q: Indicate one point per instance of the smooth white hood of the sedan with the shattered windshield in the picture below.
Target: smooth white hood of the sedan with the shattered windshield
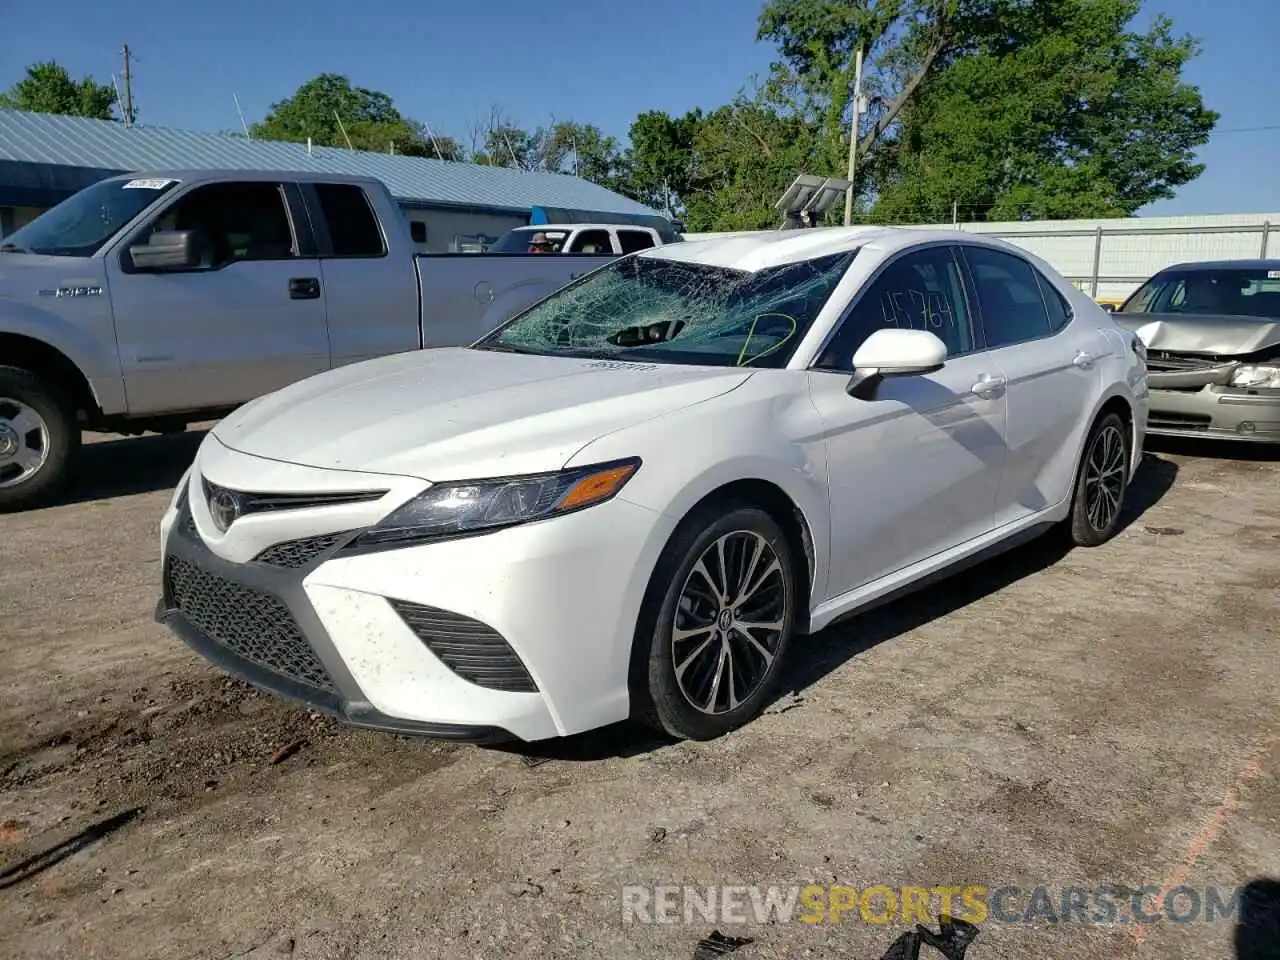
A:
(458, 414)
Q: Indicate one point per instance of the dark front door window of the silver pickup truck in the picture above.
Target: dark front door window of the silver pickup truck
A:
(234, 222)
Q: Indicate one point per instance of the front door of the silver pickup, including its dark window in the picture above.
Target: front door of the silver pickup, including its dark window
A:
(248, 321)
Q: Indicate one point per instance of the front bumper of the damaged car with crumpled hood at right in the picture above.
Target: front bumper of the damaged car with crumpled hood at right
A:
(1215, 412)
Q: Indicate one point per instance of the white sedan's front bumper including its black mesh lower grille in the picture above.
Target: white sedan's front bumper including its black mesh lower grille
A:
(403, 639)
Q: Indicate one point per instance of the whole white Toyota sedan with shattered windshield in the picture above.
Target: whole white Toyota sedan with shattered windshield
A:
(633, 499)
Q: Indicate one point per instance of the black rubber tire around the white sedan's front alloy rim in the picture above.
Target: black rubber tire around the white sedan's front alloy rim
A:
(661, 701)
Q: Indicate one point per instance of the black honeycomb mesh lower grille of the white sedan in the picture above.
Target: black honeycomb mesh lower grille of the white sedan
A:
(249, 623)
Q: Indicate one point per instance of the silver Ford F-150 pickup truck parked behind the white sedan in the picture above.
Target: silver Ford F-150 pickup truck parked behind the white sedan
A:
(150, 301)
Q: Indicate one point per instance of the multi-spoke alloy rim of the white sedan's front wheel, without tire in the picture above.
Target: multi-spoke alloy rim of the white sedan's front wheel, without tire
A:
(730, 620)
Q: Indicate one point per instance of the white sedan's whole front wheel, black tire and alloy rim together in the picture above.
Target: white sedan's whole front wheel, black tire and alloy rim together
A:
(717, 623)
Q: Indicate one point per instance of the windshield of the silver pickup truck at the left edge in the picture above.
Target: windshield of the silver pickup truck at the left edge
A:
(81, 225)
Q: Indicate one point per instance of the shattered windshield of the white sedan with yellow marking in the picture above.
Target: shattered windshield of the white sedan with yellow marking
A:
(679, 313)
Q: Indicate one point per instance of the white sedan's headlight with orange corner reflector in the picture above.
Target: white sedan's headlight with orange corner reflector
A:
(481, 506)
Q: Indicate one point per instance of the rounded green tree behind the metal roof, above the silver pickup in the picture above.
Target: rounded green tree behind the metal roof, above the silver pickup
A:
(332, 113)
